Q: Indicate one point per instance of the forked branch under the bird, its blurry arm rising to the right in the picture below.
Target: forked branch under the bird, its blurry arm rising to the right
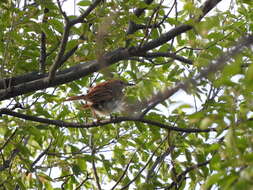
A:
(212, 68)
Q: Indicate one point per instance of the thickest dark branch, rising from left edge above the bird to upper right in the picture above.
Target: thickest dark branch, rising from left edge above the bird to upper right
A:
(38, 82)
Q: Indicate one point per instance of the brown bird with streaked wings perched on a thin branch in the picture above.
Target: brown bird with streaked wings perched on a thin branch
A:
(104, 98)
